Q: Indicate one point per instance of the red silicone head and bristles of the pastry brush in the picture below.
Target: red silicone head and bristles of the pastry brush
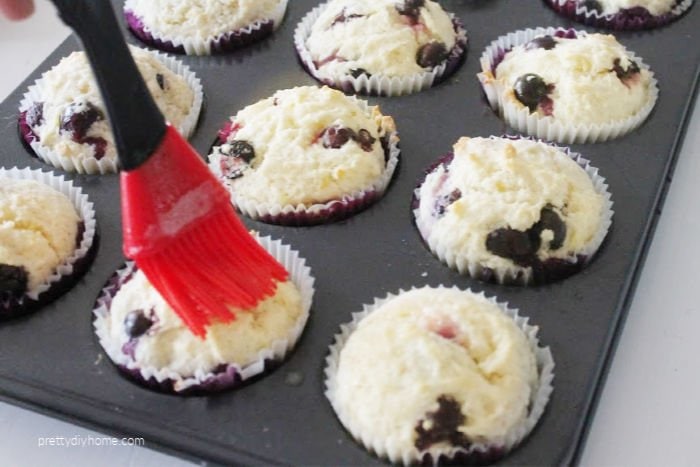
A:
(182, 231)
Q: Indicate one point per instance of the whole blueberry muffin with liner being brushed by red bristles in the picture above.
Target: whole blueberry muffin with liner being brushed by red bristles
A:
(150, 344)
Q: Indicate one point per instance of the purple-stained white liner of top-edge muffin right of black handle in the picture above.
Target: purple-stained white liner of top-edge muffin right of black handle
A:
(211, 43)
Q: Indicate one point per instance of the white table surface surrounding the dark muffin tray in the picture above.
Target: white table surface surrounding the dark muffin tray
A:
(650, 407)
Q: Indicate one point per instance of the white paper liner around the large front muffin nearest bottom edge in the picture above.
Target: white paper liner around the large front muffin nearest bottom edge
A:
(384, 449)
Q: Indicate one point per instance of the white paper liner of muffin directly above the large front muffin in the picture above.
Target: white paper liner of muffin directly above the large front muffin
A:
(519, 275)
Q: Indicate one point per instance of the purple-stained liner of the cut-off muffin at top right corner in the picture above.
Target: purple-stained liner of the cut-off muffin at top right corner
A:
(627, 19)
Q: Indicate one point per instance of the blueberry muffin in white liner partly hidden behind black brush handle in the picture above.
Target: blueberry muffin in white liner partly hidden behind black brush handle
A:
(64, 120)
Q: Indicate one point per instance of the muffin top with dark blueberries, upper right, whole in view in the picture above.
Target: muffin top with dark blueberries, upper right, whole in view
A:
(588, 80)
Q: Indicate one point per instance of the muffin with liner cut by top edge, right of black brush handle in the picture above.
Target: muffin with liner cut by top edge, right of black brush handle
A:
(202, 27)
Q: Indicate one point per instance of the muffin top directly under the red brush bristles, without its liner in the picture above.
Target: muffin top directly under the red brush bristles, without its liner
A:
(148, 331)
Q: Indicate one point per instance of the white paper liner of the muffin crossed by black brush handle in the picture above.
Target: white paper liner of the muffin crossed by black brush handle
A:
(92, 165)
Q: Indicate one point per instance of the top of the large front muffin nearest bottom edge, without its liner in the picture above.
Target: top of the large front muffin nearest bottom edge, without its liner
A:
(435, 369)
